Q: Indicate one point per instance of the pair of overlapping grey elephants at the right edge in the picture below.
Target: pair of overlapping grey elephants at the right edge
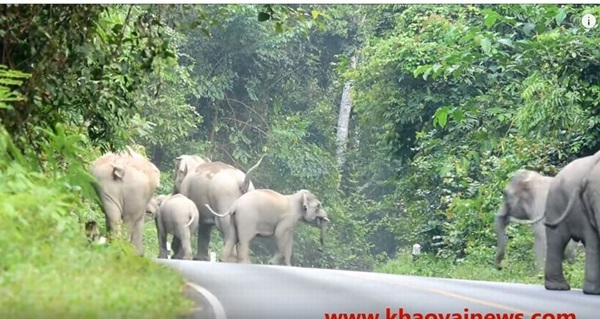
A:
(569, 204)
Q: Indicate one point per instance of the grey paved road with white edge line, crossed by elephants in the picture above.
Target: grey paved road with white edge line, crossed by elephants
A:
(237, 291)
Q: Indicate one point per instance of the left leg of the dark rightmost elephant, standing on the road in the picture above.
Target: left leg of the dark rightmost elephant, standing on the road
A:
(557, 240)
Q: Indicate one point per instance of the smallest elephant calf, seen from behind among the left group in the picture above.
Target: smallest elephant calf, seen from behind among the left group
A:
(176, 215)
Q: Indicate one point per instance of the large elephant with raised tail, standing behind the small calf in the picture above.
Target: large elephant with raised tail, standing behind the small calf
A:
(217, 184)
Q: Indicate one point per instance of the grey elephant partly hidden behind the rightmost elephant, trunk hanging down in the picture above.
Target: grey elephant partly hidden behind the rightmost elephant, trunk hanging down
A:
(523, 202)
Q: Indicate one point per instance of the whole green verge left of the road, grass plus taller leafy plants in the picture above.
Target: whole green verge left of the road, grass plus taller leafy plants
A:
(48, 270)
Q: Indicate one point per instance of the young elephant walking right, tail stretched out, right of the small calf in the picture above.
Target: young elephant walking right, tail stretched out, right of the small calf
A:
(266, 213)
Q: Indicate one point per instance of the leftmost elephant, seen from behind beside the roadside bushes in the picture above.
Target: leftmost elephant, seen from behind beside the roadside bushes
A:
(125, 183)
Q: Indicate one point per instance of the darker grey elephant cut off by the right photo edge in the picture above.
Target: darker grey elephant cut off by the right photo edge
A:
(572, 212)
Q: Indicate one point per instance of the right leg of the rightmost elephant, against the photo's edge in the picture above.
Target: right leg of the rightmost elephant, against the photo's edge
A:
(591, 284)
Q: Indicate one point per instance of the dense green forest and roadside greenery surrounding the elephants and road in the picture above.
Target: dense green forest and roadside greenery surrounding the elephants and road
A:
(406, 120)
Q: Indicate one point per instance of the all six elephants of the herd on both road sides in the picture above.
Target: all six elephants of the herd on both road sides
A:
(207, 194)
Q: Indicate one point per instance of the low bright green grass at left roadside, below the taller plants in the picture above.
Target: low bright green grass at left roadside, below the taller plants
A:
(97, 282)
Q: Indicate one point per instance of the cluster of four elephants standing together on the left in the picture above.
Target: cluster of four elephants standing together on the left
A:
(205, 194)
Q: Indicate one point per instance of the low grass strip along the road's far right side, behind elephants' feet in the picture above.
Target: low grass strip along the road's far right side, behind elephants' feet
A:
(514, 271)
